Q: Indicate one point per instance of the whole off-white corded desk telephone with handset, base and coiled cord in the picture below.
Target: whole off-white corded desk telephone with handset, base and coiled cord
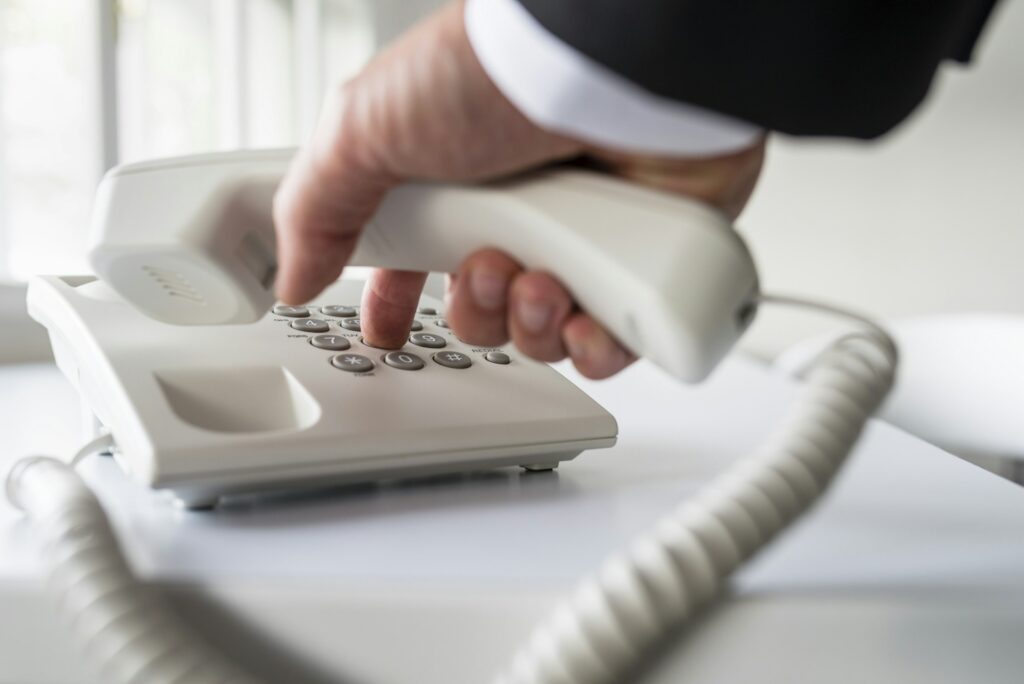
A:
(206, 394)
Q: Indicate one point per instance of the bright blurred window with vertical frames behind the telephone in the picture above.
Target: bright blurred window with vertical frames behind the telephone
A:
(86, 84)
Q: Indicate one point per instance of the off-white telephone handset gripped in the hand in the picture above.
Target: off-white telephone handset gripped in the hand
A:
(190, 241)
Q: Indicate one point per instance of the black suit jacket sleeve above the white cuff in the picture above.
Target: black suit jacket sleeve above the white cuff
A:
(849, 68)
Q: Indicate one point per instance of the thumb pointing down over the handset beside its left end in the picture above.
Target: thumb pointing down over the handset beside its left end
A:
(330, 192)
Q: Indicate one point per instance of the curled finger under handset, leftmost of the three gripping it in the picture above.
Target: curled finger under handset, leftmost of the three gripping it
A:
(479, 308)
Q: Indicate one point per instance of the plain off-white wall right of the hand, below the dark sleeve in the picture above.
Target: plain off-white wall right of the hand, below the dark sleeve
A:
(930, 220)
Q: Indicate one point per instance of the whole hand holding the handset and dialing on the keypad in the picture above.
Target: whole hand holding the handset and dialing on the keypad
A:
(425, 109)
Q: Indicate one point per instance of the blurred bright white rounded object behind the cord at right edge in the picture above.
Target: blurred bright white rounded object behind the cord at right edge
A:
(961, 383)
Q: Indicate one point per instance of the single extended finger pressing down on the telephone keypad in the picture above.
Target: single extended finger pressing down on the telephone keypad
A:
(390, 303)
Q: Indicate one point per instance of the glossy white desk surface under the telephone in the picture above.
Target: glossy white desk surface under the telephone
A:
(913, 570)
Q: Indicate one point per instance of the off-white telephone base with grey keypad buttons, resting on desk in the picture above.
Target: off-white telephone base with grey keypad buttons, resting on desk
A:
(219, 411)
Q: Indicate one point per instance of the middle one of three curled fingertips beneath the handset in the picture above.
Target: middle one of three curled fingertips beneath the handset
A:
(538, 307)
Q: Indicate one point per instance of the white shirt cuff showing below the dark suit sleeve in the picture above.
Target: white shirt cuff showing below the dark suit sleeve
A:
(565, 92)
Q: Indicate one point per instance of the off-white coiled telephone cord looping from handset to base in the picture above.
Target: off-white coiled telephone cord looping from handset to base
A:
(600, 635)
